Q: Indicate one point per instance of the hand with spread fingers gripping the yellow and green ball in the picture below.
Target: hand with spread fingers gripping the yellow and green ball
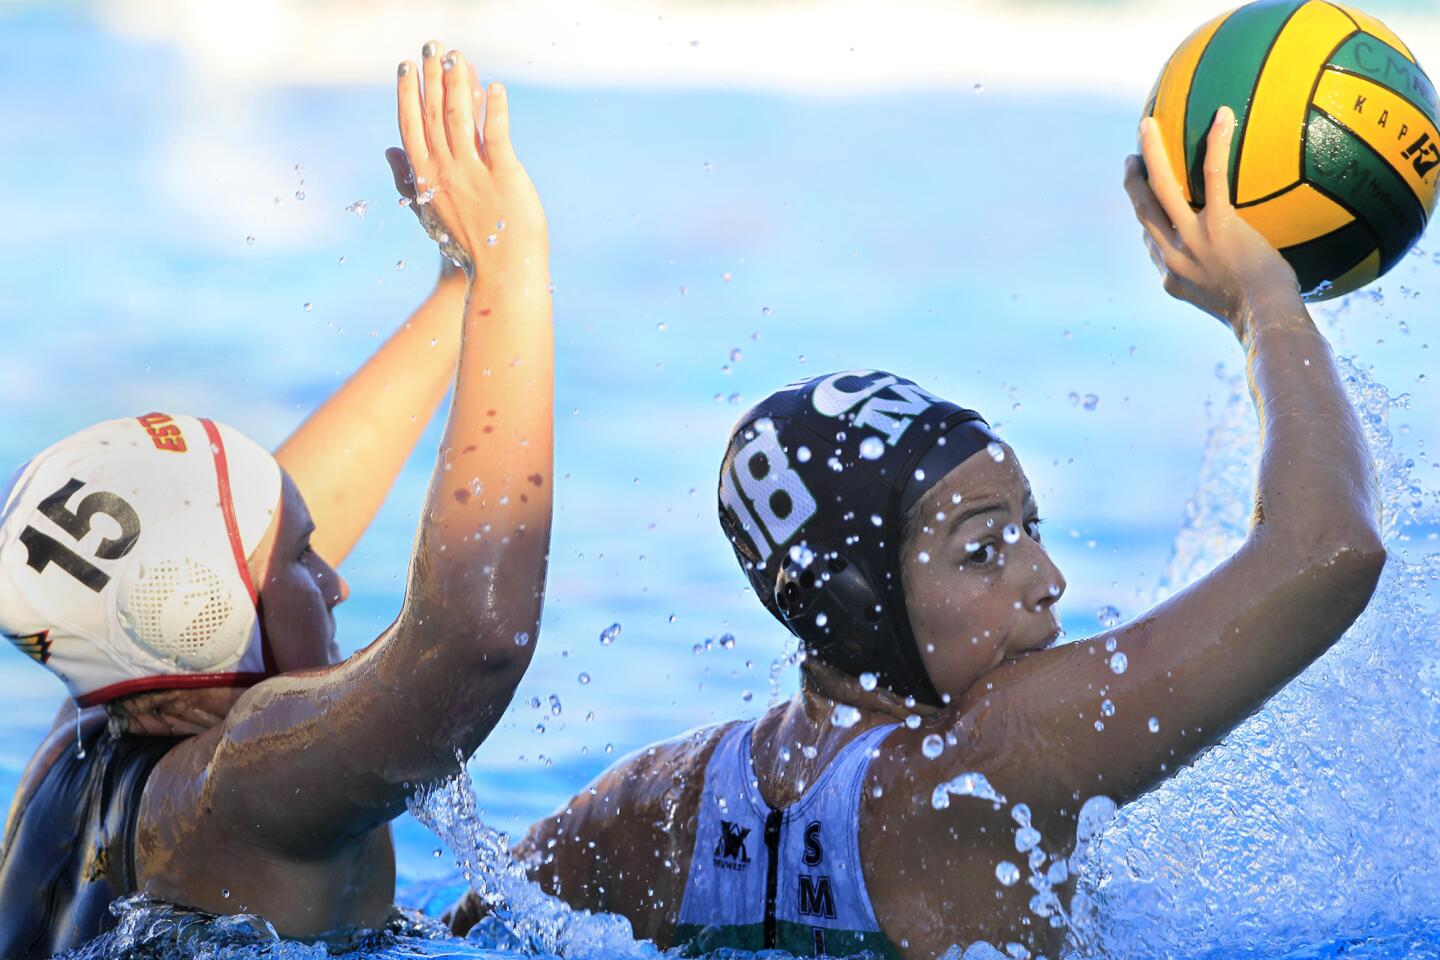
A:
(1210, 258)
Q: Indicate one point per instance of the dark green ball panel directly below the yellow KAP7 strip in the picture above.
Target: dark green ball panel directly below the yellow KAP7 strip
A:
(1356, 176)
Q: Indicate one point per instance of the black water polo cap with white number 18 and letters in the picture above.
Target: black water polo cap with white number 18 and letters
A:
(814, 490)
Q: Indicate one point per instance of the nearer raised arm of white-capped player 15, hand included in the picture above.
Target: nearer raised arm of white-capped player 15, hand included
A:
(309, 762)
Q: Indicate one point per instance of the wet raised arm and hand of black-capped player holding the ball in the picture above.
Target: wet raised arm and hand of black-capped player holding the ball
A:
(1212, 656)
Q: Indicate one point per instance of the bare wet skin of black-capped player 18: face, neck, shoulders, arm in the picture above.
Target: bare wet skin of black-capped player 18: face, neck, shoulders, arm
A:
(1020, 712)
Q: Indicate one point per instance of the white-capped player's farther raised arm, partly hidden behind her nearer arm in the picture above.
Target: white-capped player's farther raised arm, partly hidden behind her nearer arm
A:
(348, 454)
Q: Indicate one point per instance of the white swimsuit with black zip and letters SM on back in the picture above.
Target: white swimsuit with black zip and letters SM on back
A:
(791, 879)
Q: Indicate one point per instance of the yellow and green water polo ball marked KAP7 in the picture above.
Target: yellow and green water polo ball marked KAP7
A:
(1337, 149)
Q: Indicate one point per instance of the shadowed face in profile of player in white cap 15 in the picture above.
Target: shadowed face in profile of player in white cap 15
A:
(299, 589)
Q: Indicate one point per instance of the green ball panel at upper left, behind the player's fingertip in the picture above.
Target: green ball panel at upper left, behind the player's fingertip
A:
(1228, 76)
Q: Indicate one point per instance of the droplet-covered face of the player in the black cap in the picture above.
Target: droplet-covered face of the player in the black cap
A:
(980, 587)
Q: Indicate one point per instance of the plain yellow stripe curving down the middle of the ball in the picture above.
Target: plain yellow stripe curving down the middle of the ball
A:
(1271, 156)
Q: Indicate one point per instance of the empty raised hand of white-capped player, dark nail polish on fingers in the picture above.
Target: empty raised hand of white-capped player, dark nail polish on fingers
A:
(459, 168)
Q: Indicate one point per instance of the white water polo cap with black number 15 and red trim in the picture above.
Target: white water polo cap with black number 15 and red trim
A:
(123, 558)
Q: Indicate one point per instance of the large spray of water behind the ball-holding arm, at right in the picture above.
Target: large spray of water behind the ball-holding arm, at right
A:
(1307, 821)
